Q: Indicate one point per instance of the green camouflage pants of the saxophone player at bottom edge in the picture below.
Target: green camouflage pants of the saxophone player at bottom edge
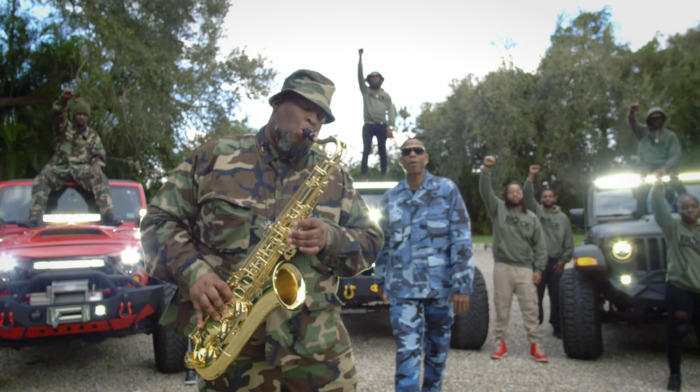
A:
(248, 374)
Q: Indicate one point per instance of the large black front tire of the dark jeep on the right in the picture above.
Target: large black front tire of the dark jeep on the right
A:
(580, 316)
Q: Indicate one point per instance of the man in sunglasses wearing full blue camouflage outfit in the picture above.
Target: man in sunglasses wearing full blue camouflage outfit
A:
(426, 268)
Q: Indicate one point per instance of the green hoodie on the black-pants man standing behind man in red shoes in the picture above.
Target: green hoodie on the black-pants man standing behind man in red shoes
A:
(555, 226)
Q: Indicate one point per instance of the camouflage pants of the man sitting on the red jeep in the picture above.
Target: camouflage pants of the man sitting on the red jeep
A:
(52, 178)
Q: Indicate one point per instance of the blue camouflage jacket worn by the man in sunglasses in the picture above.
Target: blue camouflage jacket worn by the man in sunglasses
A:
(428, 252)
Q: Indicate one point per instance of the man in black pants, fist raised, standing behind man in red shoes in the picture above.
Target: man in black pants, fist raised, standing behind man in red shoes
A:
(560, 245)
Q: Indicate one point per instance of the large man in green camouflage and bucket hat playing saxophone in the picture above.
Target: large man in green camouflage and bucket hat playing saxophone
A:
(219, 203)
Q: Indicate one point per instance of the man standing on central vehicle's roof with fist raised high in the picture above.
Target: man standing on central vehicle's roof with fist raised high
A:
(379, 115)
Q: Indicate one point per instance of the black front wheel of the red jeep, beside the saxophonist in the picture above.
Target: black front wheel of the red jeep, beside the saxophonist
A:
(169, 346)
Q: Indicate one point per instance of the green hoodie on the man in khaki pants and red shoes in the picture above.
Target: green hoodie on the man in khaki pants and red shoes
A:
(517, 235)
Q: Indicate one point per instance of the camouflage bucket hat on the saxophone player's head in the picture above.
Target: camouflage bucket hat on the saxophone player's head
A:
(313, 86)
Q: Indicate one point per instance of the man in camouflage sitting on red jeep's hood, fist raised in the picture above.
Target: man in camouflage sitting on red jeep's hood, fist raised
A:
(78, 156)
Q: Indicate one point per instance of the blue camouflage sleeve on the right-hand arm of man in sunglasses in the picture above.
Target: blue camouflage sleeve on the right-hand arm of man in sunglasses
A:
(461, 253)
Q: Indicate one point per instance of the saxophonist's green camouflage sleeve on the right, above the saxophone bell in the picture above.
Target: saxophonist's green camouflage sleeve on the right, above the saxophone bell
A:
(354, 243)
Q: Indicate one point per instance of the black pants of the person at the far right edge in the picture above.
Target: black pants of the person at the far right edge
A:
(683, 307)
